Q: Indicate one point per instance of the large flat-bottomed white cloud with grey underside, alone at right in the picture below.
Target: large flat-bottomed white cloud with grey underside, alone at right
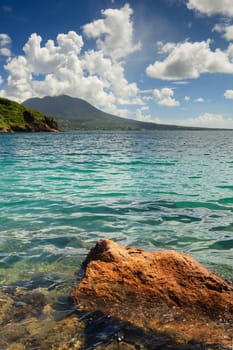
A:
(190, 60)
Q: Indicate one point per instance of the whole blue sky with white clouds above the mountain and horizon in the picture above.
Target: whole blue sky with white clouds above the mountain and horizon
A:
(163, 61)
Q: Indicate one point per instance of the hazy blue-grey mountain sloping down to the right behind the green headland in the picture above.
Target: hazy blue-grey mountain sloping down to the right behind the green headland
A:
(77, 114)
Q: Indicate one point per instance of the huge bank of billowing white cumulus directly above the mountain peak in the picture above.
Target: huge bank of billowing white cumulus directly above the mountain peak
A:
(62, 66)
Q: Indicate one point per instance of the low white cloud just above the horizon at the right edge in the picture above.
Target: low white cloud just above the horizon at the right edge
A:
(208, 120)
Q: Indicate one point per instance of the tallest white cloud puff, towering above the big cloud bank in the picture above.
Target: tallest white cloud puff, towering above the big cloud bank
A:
(114, 33)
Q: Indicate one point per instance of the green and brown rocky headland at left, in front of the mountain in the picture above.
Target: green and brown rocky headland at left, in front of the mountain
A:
(15, 117)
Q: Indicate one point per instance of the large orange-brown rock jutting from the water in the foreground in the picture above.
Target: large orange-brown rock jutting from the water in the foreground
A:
(164, 291)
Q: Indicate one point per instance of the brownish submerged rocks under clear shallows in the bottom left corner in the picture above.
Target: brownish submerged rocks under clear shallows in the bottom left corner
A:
(34, 315)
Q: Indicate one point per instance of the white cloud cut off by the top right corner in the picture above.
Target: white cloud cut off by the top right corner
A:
(212, 7)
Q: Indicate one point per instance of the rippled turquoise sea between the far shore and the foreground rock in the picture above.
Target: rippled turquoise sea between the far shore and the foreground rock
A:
(61, 192)
